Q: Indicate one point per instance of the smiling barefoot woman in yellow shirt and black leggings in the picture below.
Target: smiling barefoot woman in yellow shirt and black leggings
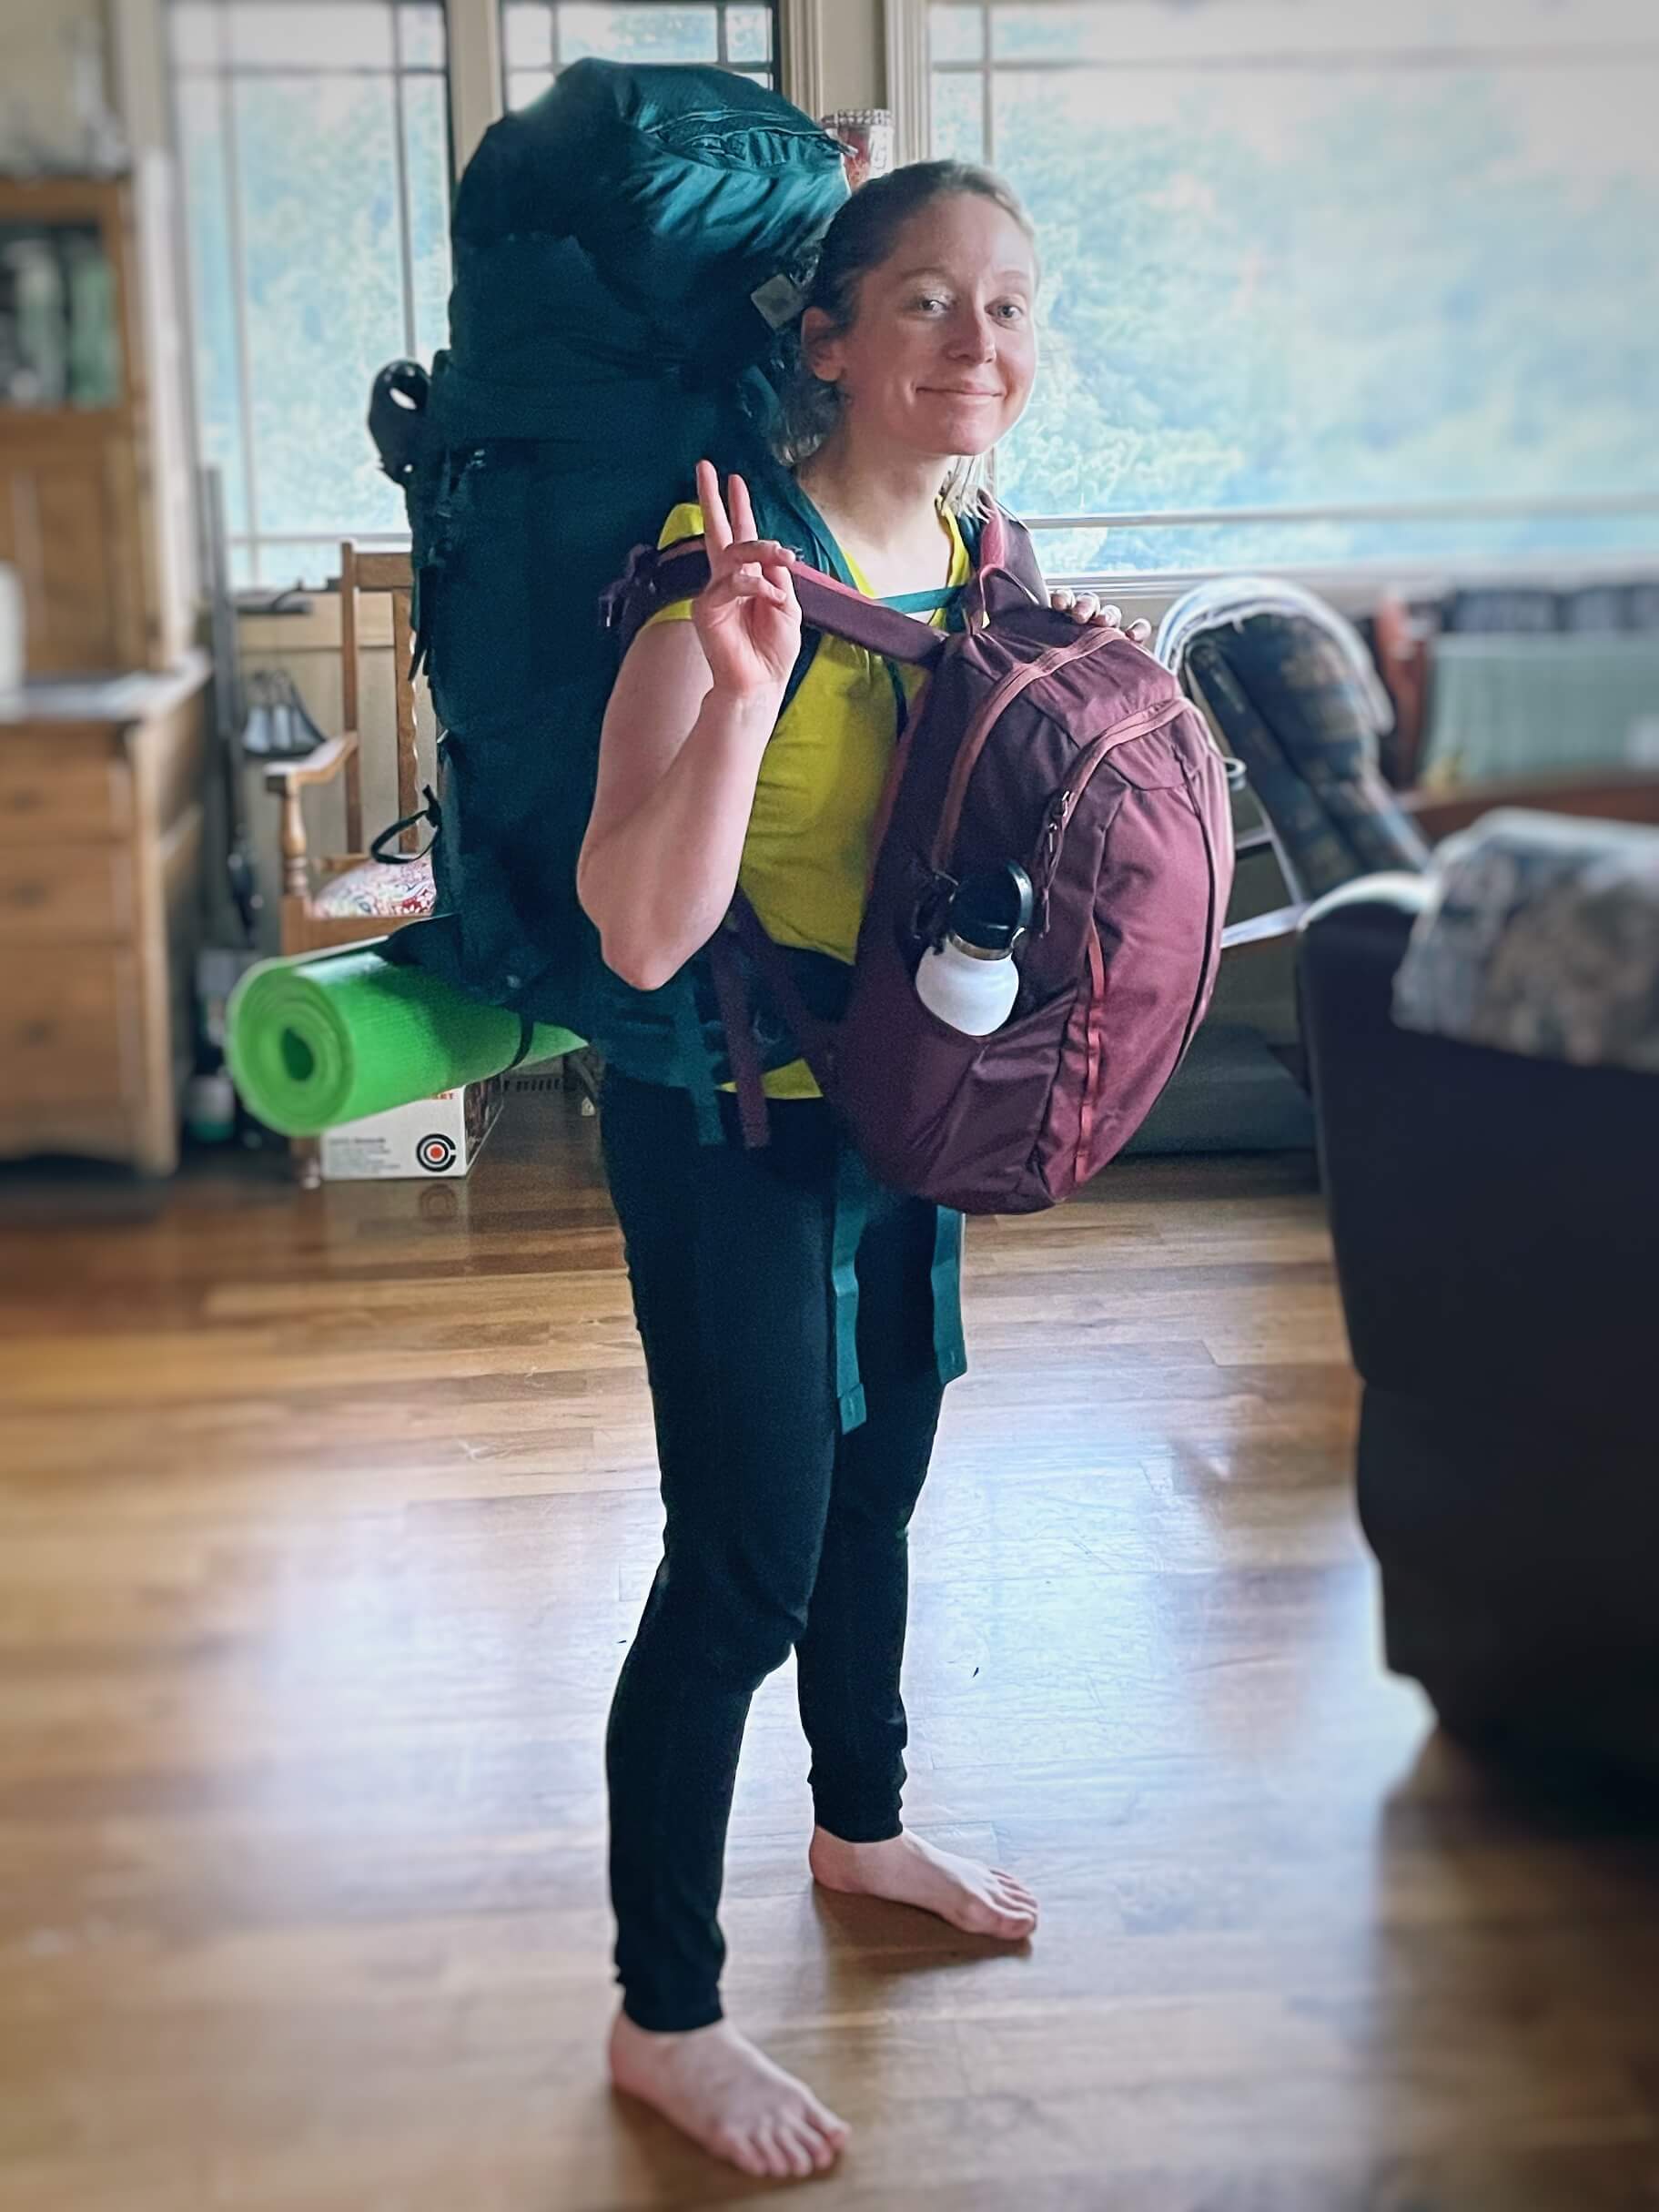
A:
(919, 353)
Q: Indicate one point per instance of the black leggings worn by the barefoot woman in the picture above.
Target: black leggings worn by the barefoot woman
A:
(780, 1532)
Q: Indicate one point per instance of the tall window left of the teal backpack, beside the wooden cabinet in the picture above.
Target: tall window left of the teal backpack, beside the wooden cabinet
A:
(315, 154)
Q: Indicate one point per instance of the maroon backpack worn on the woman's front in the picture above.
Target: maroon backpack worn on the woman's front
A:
(1072, 753)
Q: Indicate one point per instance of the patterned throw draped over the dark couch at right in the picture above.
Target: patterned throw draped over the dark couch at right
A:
(1541, 937)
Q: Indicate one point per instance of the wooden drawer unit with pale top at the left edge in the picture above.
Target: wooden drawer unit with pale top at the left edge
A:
(101, 890)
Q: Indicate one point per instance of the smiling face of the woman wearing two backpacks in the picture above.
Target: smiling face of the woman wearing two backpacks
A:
(943, 351)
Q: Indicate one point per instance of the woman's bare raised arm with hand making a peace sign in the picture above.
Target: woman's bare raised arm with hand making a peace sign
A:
(682, 751)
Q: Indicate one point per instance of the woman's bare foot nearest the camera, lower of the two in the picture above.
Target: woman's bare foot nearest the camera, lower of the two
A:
(716, 2087)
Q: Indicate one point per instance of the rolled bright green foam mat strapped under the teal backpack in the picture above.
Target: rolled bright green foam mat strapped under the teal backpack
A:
(337, 1036)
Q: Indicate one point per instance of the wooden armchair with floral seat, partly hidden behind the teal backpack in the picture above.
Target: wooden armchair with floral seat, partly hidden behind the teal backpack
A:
(346, 899)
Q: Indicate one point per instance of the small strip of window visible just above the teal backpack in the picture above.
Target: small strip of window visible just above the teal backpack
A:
(541, 36)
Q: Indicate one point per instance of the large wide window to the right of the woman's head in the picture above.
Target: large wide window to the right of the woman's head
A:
(1326, 284)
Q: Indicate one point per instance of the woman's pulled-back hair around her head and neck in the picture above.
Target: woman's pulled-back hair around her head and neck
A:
(859, 240)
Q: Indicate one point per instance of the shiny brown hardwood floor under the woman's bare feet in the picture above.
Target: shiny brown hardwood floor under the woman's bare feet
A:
(324, 1523)
